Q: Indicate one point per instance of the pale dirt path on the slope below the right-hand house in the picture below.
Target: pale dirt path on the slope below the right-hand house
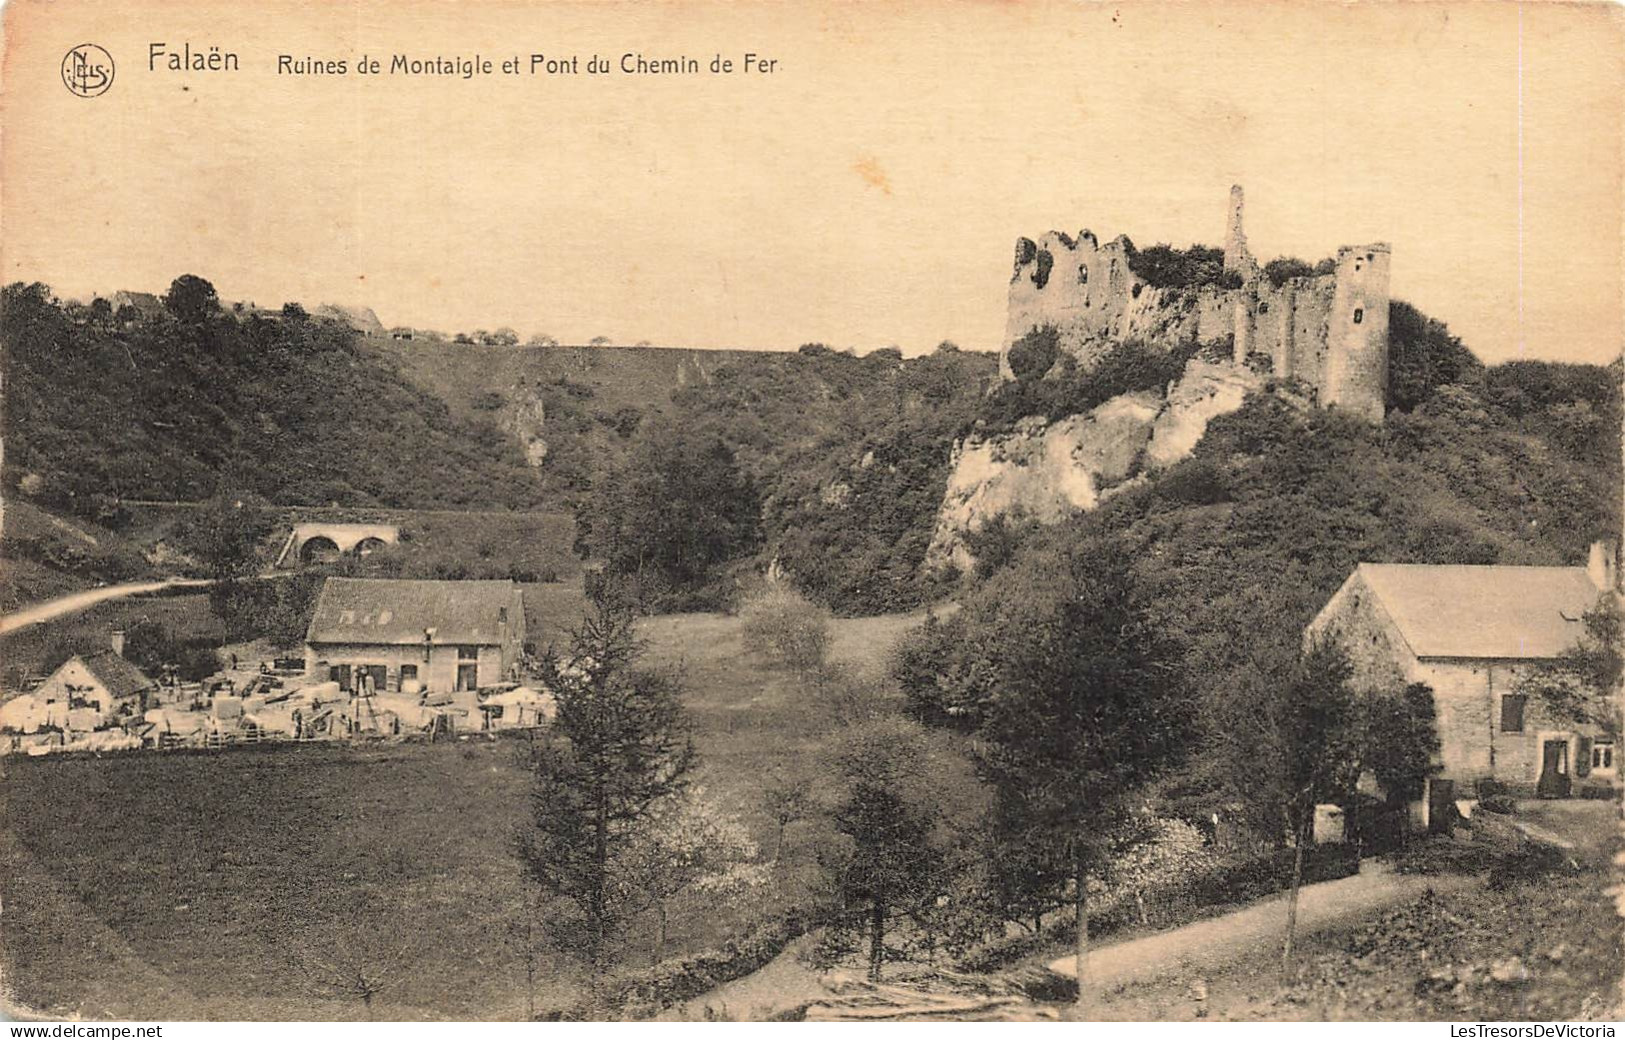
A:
(1203, 945)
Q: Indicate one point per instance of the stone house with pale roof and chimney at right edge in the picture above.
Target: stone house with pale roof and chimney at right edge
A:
(1471, 633)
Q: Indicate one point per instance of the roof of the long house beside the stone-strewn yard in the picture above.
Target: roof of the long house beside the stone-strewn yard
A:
(399, 610)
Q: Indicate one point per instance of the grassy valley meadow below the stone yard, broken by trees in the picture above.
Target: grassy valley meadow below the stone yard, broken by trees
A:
(241, 885)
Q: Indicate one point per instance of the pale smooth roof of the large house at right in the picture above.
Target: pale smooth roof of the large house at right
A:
(1484, 612)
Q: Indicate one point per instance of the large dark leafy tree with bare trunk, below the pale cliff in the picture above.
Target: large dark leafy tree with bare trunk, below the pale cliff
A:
(1090, 704)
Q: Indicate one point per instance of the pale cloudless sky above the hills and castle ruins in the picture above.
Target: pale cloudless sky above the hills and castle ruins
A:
(865, 193)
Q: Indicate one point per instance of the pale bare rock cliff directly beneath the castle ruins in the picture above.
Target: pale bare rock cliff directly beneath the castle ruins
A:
(1054, 470)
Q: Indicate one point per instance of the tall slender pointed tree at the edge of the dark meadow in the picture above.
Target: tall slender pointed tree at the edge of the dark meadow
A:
(615, 755)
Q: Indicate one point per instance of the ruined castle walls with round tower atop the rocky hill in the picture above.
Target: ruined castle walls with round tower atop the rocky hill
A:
(1328, 332)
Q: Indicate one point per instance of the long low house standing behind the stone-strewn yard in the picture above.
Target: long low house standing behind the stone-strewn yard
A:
(443, 636)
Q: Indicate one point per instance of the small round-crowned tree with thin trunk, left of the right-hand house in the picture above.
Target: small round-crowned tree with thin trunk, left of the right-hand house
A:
(1293, 740)
